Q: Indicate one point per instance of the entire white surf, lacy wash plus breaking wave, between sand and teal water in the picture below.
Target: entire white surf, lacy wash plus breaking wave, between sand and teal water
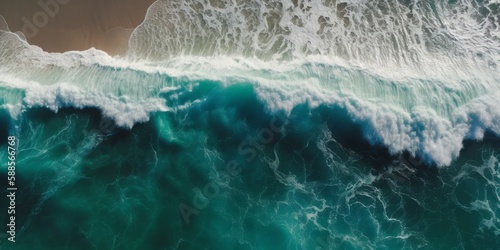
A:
(420, 77)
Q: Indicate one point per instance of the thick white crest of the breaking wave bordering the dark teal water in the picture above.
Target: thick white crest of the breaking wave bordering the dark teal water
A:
(403, 115)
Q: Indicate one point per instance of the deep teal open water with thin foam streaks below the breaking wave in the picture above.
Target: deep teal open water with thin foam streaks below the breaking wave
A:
(315, 184)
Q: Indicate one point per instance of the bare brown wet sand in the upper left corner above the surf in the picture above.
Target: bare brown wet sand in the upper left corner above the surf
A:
(64, 25)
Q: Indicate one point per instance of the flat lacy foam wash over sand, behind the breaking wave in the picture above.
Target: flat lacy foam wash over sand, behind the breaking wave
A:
(390, 37)
